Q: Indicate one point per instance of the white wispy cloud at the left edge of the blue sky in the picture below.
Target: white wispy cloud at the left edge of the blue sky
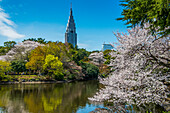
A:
(7, 26)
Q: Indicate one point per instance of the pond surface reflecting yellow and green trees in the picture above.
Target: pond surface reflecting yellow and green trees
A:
(46, 98)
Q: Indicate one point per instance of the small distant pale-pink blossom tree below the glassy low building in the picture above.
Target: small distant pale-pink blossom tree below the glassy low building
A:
(97, 58)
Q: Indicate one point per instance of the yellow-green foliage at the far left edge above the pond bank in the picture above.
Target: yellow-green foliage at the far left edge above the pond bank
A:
(4, 68)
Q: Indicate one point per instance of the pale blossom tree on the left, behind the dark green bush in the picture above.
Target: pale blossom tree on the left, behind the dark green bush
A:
(21, 51)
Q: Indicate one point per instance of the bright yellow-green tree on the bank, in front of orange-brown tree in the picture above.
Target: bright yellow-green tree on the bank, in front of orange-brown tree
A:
(54, 67)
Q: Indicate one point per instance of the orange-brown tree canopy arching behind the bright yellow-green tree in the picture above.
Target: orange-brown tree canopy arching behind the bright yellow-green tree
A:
(39, 54)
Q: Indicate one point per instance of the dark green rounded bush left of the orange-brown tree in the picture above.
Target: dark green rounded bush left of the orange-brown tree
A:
(18, 66)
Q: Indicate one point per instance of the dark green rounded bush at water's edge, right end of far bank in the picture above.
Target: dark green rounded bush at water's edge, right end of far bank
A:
(90, 70)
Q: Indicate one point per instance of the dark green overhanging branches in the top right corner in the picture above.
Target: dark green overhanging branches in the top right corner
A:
(154, 12)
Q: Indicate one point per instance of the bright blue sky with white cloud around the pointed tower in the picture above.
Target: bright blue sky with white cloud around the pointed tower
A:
(95, 20)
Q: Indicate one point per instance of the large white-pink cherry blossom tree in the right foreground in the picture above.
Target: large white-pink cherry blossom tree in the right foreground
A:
(140, 66)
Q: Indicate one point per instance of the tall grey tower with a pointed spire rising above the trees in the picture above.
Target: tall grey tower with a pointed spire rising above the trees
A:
(71, 35)
